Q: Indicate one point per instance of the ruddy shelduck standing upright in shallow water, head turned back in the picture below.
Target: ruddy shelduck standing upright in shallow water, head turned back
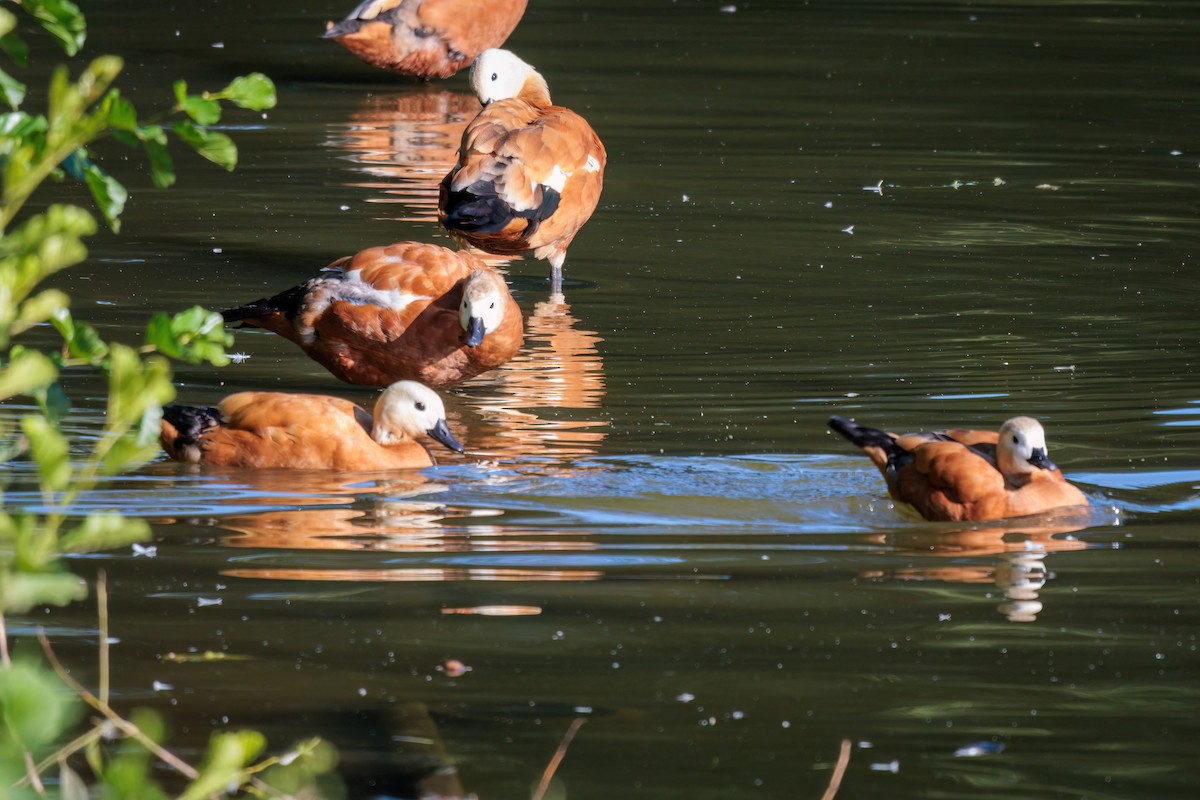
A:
(530, 173)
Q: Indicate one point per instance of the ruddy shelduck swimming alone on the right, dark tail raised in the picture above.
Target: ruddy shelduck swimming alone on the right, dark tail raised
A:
(968, 476)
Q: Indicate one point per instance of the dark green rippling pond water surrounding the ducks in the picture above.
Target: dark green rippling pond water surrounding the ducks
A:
(917, 214)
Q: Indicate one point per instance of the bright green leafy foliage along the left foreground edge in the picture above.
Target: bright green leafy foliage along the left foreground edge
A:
(35, 712)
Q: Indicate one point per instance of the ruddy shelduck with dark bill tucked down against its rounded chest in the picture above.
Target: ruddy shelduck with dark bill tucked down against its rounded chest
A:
(405, 311)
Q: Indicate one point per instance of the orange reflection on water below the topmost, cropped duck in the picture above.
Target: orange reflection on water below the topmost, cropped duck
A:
(403, 145)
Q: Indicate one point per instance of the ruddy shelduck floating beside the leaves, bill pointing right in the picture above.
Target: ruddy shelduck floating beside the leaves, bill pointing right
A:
(275, 430)
